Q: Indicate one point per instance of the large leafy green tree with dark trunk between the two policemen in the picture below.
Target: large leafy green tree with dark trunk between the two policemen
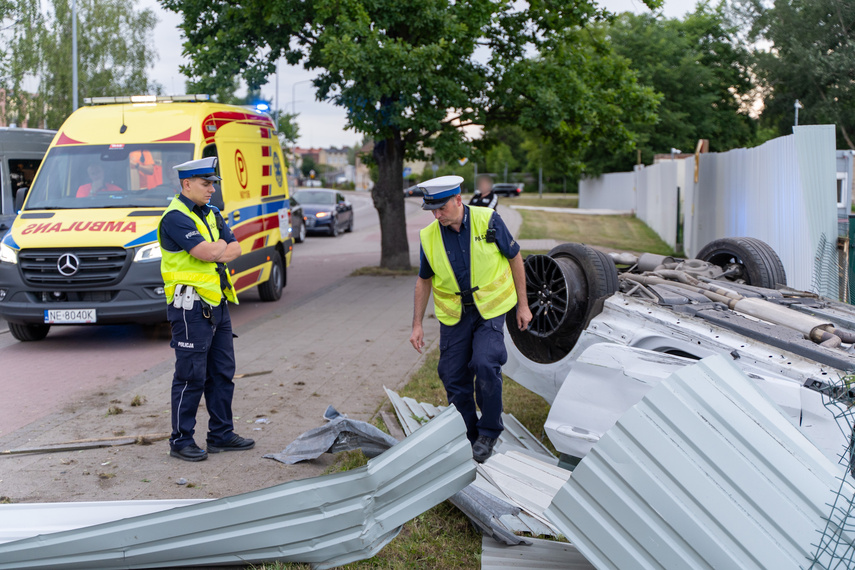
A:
(411, 73)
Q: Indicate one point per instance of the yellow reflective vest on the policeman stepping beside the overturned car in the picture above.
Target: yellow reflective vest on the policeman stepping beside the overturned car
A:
(489, 271)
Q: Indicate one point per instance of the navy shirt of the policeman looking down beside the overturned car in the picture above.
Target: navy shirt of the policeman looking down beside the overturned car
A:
(457, 246)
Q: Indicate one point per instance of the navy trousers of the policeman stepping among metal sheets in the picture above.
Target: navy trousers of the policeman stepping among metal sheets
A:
(471, 355)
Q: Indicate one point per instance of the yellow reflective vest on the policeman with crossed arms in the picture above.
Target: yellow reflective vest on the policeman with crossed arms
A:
(182, 268)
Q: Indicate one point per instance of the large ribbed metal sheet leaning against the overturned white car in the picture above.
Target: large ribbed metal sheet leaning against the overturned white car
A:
(704, 472)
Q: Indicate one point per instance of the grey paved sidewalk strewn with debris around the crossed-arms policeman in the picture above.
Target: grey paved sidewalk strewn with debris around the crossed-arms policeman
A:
(339, 348)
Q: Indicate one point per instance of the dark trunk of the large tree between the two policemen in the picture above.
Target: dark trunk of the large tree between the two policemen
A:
(388, 195)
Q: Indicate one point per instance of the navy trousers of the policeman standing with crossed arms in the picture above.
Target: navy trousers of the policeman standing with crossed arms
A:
(204, 365)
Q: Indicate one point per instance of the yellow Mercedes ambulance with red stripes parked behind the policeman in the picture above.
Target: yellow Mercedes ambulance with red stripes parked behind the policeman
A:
(84, 250)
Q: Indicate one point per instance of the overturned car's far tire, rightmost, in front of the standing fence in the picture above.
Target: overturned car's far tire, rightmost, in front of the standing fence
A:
(760, 264)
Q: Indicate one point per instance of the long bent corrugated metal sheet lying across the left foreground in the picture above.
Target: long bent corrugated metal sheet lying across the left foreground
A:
(326, 521)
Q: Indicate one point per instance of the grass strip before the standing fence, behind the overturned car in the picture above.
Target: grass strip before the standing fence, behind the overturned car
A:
(623, 233)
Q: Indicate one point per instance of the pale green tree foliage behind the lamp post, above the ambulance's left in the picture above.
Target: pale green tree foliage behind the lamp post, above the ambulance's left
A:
(114, 52)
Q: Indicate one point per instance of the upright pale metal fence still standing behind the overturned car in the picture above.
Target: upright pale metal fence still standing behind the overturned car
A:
(782, 192)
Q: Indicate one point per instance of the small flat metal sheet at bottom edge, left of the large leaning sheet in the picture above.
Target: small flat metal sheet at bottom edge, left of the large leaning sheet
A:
(540, 555)
